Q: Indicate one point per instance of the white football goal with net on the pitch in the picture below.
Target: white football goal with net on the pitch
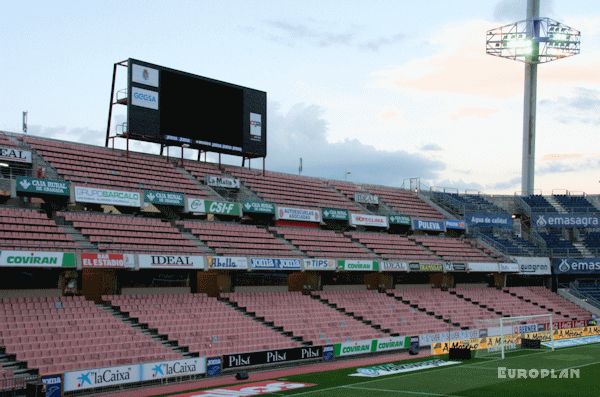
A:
(506, 334)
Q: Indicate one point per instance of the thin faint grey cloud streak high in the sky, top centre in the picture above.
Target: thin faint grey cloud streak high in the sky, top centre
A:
(321, 34)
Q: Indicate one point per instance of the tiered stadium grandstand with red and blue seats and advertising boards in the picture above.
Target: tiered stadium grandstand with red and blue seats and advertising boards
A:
(111, 258)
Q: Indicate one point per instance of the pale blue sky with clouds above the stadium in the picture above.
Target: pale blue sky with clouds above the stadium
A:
(371, 91)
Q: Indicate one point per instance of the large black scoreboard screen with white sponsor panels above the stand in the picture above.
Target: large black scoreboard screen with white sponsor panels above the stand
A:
(172, 107)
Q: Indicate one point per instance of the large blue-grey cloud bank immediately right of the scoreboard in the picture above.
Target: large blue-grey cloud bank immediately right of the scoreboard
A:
(302, 132)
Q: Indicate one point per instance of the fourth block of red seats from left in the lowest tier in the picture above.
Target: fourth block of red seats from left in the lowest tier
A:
(384, 310)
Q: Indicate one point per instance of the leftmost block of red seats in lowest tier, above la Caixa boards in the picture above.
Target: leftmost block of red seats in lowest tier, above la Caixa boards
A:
(70, 333)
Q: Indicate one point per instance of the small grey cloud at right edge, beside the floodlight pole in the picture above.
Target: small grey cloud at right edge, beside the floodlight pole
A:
(582, 105)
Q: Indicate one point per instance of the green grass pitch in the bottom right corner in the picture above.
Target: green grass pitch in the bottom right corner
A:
(474, 378)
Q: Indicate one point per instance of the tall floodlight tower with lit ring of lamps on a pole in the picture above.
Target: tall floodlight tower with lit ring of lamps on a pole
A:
(532, 41)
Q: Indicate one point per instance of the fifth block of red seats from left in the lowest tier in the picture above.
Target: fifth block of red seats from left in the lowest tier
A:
(450, 307)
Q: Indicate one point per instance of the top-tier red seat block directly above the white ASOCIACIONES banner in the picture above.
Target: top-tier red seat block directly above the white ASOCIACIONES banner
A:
(290, 190)
